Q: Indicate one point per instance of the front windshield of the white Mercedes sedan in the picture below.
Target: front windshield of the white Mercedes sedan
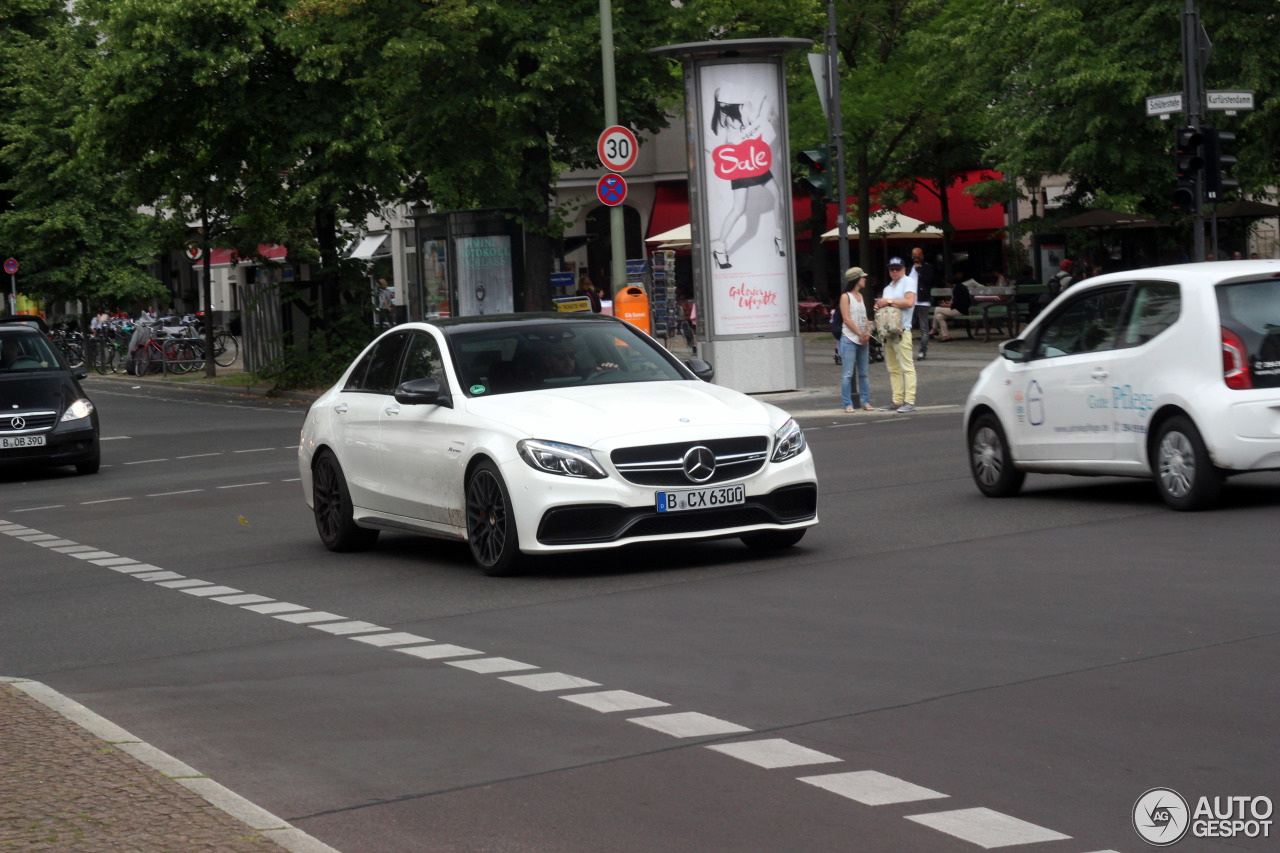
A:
(556, 355)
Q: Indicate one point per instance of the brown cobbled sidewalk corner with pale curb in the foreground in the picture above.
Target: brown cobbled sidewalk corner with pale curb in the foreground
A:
(74, 782)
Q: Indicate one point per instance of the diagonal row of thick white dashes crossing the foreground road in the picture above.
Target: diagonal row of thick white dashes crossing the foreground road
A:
(982, 827)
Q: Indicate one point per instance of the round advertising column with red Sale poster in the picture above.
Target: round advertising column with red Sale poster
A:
(740, 211)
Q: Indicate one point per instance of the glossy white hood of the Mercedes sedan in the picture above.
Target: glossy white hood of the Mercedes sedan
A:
(606, 416)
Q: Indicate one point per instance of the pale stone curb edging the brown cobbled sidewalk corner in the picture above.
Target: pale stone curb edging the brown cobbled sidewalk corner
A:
(271, 827)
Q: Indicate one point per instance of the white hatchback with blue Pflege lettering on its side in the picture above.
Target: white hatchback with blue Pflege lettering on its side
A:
(1171, 373)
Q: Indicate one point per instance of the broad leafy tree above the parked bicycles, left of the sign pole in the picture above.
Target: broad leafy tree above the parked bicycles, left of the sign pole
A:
(275, 145)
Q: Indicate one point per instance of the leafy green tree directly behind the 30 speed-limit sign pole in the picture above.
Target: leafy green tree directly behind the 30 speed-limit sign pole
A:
(514, 99)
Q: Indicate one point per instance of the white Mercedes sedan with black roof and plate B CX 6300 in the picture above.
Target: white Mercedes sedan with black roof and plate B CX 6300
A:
(541, 434)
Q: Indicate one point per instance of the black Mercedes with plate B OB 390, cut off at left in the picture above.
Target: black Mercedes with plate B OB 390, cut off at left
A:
(45, 417)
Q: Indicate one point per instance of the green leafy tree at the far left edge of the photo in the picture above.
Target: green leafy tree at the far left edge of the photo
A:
(79, 238)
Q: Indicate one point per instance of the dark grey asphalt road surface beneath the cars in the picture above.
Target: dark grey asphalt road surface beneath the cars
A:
(929, 670)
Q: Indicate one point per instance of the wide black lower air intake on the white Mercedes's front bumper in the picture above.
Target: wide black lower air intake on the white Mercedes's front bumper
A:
(606, 523)
